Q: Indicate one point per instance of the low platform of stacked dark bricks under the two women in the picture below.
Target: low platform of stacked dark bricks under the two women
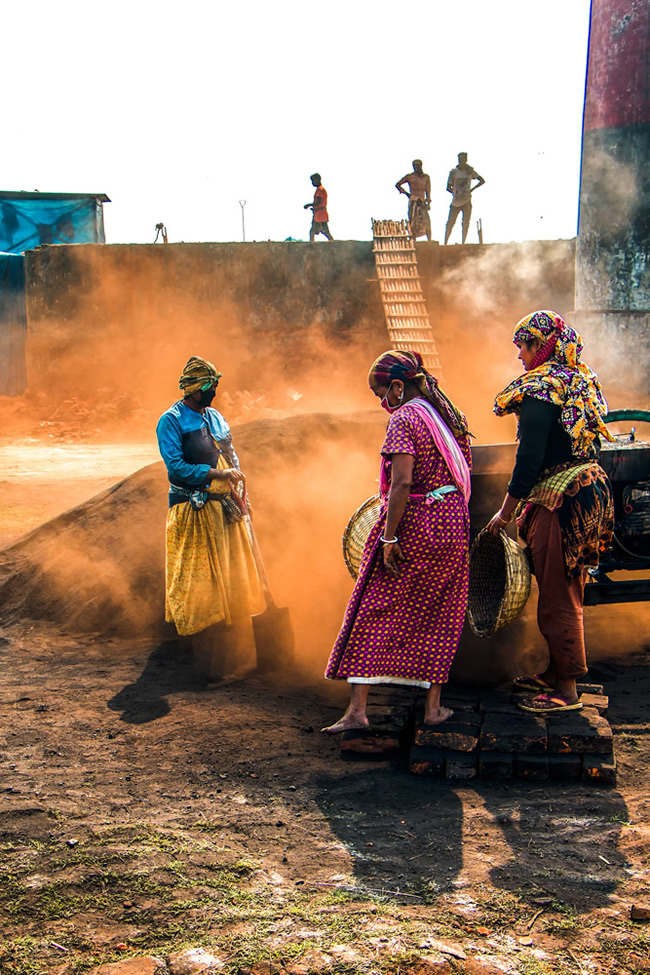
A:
(489, 737)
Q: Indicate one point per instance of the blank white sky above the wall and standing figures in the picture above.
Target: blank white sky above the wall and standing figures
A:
(178, 111)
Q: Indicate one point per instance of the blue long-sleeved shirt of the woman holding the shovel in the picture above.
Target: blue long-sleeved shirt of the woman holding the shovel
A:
(176, 421)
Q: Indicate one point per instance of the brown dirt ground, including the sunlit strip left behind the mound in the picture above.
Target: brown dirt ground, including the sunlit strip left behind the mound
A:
(143, 812)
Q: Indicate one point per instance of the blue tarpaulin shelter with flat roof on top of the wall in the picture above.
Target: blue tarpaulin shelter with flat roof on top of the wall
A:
(28, 220)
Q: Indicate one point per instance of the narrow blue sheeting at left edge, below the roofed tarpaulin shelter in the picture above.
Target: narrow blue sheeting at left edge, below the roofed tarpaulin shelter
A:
(13, 325)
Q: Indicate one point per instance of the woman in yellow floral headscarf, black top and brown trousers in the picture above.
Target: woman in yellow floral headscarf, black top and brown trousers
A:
(561, 494)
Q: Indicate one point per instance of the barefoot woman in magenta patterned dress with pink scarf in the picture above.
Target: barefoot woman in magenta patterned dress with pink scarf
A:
(405, 616)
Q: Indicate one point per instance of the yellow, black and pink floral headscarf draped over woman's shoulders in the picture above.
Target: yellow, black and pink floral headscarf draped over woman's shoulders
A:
(557, 376)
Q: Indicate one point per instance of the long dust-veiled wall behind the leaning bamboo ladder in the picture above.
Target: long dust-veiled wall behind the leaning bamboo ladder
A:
(112, 315)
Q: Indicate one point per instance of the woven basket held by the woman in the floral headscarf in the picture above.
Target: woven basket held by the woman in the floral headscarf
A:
(499, 582)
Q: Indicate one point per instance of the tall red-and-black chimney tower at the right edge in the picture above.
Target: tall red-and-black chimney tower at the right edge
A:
(613, 258)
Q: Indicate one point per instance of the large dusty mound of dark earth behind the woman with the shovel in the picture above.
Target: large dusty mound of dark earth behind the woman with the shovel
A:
(100, 566)
